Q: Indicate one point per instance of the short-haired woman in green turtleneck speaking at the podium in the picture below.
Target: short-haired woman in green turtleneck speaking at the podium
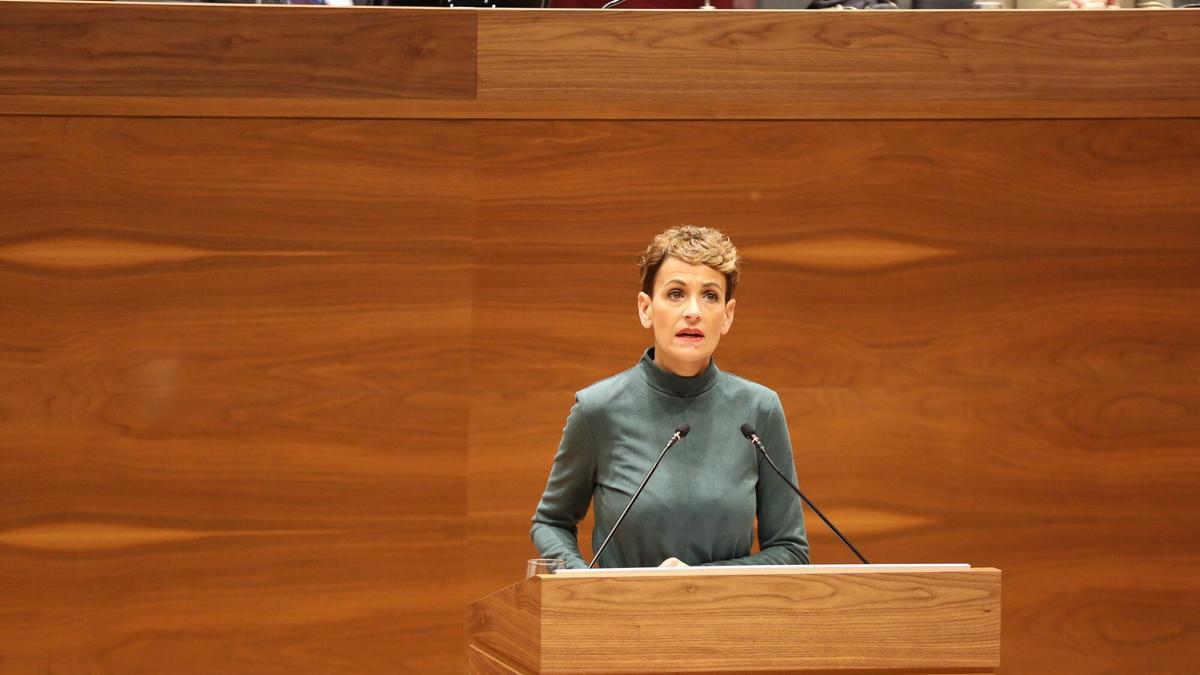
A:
(712, 488)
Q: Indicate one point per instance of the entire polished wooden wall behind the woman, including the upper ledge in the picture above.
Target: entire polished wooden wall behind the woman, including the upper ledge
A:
(286, 351)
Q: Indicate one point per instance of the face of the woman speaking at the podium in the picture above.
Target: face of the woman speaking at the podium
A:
(688, 314)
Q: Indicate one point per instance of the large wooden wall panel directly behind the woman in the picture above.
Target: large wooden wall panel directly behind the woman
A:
(1010, 379)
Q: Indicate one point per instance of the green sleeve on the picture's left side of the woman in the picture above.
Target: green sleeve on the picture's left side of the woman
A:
(568, 494)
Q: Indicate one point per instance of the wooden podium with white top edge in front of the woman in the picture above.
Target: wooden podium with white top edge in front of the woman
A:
(850, 620)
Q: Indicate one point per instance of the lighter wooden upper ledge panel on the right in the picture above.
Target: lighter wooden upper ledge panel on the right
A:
(859, 61)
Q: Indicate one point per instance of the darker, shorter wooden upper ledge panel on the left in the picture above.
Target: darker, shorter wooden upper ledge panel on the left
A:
(81, 50)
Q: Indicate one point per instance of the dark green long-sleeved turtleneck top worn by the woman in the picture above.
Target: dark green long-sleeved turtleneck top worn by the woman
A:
(701, 504)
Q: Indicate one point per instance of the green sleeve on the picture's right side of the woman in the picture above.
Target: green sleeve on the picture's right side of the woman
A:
(782, 535)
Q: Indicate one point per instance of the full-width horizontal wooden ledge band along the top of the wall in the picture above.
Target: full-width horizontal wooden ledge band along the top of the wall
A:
(221, 61)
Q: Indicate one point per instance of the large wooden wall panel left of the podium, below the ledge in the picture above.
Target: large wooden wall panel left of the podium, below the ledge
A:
(232, 390)
